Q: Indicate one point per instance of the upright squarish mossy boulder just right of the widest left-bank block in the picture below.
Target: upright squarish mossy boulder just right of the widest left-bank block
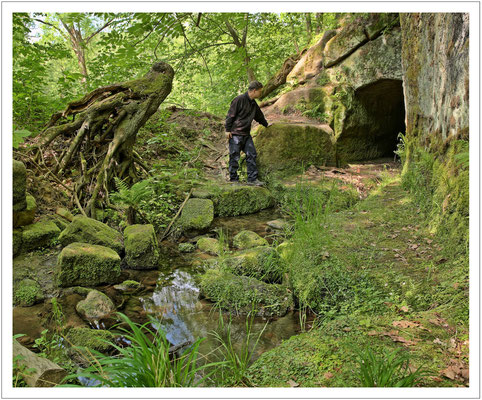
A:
(141, 247)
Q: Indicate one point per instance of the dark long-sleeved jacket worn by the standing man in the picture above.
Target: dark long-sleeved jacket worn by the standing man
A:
(241, 113)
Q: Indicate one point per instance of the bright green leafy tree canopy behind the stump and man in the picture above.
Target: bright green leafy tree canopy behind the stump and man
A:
(58, 57)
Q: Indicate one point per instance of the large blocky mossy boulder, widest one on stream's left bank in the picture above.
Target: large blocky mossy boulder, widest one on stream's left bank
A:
(84, 264)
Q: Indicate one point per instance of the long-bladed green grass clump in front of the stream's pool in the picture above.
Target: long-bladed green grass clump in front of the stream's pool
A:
(145, 362)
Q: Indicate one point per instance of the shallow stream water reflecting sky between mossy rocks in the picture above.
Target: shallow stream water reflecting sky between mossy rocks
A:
(184, 317)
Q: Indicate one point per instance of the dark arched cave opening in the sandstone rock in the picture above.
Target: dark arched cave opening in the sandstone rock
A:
(373, 122)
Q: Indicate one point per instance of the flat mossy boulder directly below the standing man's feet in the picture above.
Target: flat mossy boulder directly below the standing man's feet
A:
(231, 201)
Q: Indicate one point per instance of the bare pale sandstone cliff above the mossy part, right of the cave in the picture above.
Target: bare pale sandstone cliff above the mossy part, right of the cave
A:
(435, 59)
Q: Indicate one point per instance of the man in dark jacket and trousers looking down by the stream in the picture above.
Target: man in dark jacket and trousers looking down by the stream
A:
(238, 126)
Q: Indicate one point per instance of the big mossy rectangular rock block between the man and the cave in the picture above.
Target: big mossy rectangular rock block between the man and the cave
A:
(287, 146)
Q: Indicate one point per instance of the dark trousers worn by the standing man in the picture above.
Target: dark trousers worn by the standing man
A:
(244, 143)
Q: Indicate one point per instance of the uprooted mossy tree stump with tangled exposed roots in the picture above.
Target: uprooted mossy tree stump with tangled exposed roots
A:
(92, 140)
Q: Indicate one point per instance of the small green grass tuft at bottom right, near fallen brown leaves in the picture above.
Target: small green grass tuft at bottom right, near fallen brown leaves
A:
(388, 370)
